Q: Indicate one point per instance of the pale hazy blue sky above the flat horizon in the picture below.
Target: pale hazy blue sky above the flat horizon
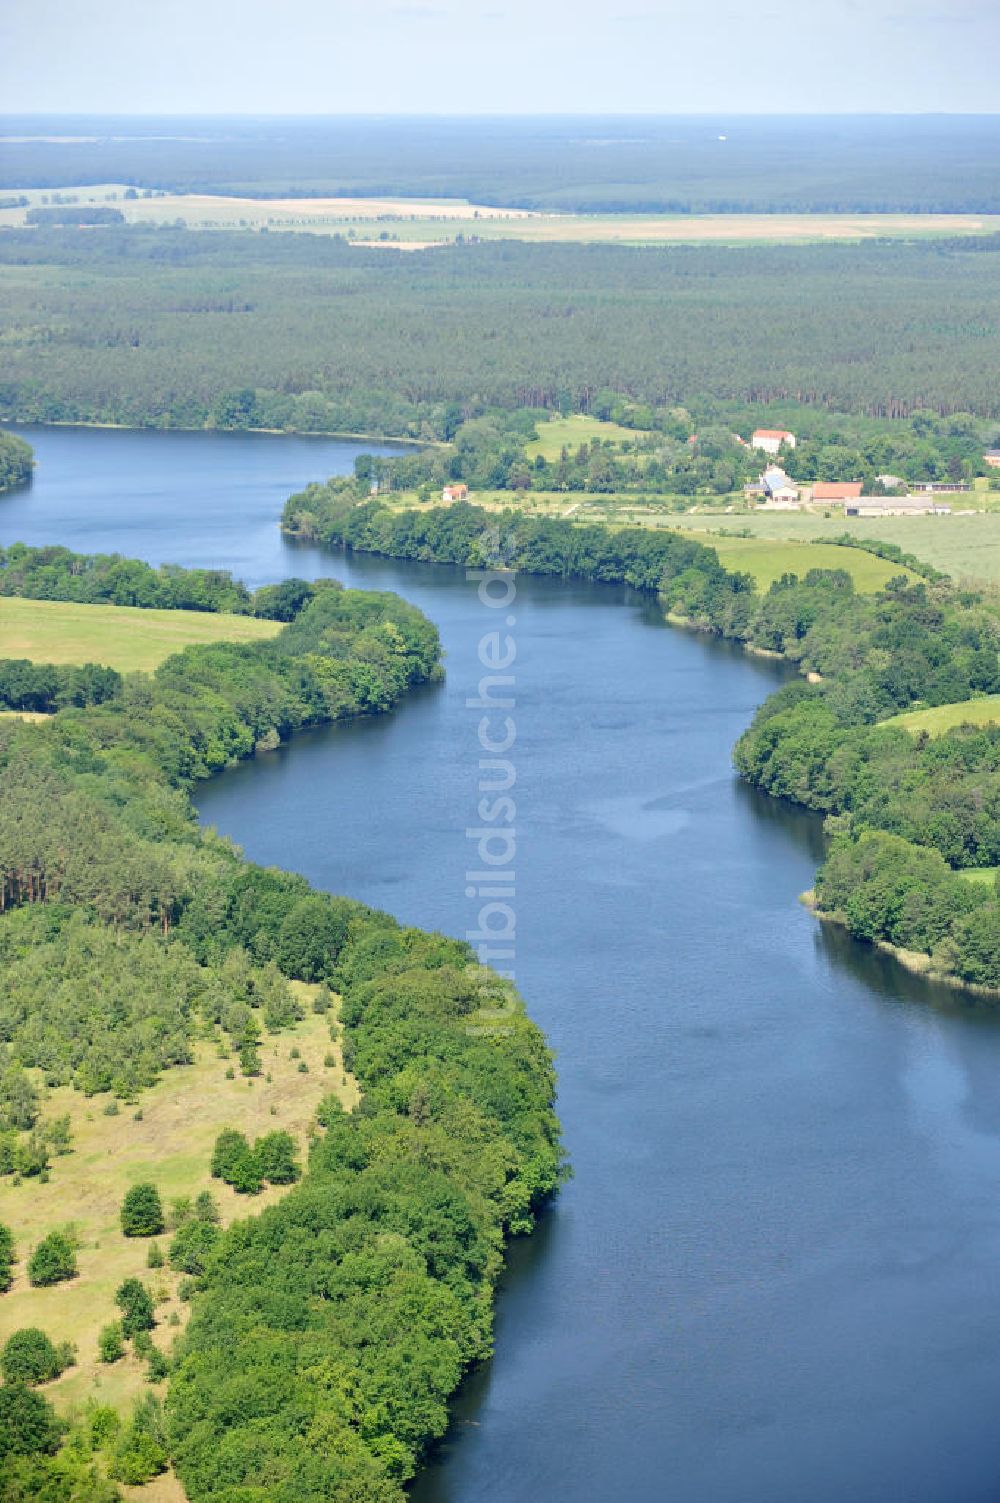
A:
(498, 56)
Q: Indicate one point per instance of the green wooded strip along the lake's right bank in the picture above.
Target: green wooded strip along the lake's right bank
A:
(908, 814)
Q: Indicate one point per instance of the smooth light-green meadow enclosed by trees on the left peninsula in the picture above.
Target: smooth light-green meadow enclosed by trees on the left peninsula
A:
(118, 637)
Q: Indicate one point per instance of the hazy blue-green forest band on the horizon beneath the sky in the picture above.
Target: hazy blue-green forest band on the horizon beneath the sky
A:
(610, 165)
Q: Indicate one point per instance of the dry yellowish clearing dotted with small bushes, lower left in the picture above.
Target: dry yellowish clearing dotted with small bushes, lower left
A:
(172, 1146)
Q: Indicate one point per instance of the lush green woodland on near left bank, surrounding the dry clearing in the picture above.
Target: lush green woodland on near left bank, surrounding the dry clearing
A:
(124, 936)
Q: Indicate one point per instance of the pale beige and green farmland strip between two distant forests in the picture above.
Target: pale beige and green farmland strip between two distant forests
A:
(416, 223)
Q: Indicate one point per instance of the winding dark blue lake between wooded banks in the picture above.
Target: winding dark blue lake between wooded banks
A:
(775, 1275)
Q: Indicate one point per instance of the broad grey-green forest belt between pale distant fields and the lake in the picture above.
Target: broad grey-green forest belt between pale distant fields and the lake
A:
(148, 327)
